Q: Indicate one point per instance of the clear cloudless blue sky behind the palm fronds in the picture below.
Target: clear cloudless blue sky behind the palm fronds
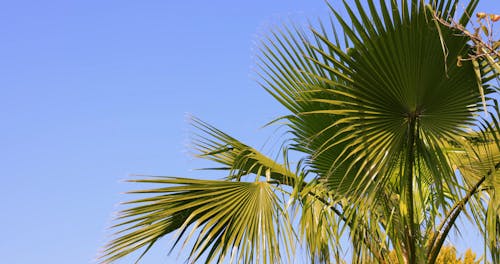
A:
(92, 91)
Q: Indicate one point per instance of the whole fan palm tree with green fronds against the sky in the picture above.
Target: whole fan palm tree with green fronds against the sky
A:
(386, 115)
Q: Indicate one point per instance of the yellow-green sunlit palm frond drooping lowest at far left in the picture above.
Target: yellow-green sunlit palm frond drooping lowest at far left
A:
(242, 221)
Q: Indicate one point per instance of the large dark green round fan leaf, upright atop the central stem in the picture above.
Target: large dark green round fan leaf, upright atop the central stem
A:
(397, 74)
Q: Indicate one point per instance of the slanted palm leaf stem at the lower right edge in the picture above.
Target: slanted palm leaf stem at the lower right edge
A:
(449, 221)
